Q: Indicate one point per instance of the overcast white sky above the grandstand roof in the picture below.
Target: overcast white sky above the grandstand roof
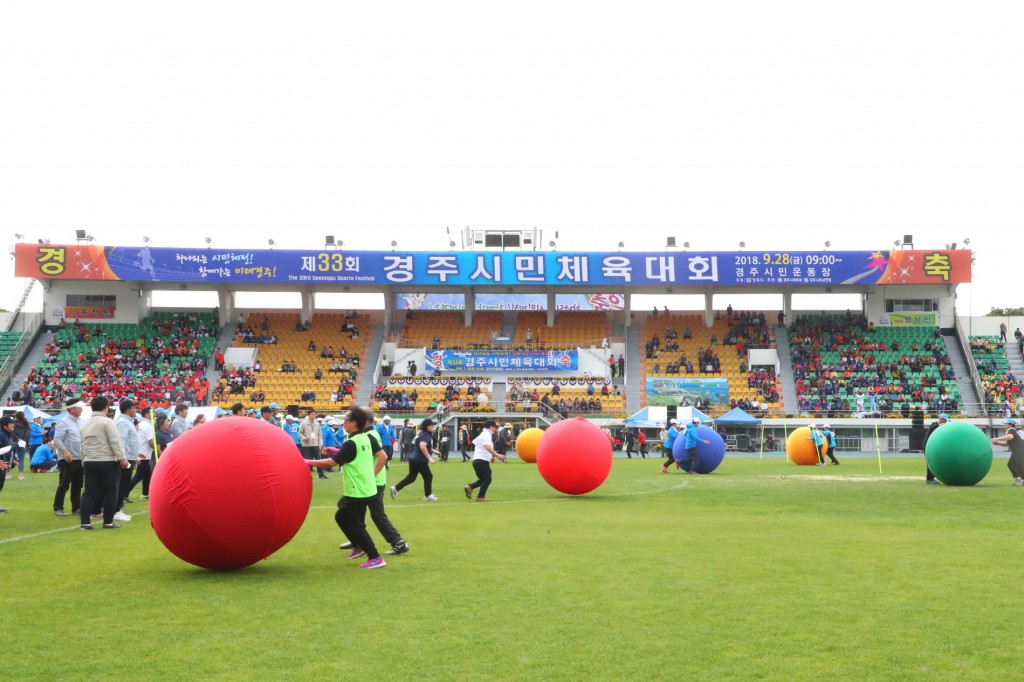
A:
(783, 124)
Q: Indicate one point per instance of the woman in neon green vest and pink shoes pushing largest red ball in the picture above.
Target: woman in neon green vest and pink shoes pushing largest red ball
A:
(361, 467)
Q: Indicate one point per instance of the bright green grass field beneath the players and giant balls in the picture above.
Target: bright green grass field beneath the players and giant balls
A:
(760, 571)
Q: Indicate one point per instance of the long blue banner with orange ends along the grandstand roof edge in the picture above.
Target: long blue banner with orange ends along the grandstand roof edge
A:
(412, 270)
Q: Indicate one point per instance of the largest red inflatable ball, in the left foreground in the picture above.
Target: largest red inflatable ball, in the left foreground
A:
(230, 493)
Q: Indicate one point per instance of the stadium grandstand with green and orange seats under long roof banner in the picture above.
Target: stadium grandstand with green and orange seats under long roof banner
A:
(525, 336)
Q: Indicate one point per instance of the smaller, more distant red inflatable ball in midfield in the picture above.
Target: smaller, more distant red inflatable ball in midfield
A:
(575, 457)
